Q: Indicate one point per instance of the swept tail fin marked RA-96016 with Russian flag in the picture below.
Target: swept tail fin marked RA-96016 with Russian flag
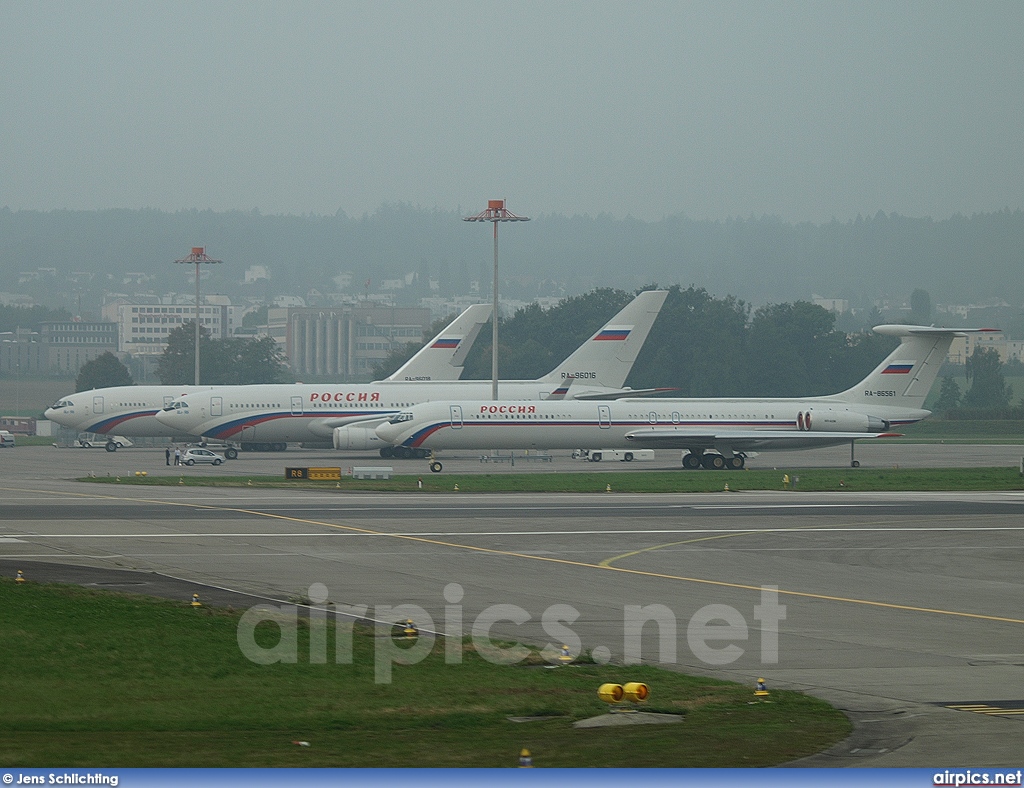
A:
(607, 359)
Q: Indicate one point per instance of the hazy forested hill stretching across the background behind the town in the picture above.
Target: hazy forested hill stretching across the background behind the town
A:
(957, 260)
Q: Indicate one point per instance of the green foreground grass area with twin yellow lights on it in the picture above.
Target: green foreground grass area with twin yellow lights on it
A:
(101, 679)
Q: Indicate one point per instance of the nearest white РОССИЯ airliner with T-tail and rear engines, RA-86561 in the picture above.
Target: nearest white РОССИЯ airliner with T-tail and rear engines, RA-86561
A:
(715, 433)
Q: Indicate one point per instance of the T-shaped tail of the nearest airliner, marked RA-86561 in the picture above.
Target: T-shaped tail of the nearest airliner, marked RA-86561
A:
(907, 375)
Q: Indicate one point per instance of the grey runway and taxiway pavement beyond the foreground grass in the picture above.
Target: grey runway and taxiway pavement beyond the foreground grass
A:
(895, 607)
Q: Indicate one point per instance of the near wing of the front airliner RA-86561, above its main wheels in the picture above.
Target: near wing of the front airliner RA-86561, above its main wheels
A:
(744, 441)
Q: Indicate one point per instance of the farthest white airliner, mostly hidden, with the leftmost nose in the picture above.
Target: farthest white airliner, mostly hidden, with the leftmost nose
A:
(132, 411)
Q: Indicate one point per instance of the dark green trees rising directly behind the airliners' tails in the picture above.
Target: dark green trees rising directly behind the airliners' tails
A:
(703, 346)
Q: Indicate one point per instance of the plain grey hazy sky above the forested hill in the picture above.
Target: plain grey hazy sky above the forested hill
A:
(804, 111)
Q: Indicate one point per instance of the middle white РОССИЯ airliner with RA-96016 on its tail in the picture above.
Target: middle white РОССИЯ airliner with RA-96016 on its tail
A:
(272, 416)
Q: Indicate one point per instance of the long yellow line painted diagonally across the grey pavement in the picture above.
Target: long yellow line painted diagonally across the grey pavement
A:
(561, 561)
